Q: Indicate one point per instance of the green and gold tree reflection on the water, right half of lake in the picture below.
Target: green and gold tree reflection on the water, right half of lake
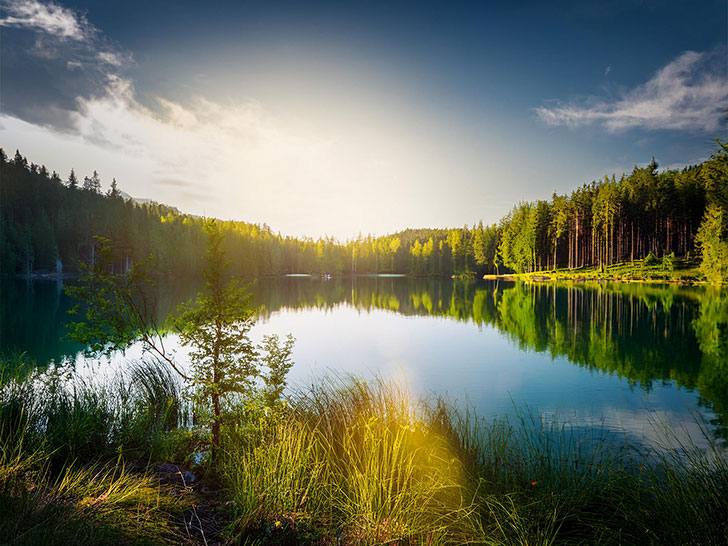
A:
(642, 332)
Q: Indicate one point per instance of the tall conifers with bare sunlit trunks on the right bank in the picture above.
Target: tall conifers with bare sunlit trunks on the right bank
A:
(610, 221)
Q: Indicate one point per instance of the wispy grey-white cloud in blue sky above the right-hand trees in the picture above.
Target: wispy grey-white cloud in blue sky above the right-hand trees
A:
(688, 94)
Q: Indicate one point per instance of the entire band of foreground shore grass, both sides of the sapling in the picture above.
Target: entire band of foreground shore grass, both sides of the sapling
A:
(347, 462)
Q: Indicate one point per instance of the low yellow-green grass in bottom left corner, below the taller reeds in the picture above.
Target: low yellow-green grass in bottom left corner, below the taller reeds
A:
(83, 505)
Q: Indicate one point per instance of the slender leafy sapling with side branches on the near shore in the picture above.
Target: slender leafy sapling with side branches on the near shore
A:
(226, 367)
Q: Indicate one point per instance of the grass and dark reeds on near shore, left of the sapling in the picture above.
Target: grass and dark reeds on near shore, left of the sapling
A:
(63, 441)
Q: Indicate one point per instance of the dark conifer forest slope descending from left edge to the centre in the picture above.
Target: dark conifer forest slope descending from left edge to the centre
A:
(50, 226)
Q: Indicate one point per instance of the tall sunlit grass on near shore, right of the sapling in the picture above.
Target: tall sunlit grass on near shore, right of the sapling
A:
(356, 462)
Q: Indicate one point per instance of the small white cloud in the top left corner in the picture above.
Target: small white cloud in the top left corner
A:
(50, 18)
